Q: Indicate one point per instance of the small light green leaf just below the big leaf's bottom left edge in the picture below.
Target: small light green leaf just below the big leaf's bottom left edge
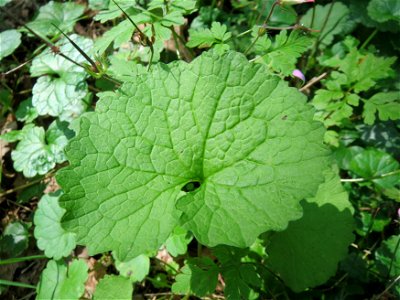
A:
(135, 269)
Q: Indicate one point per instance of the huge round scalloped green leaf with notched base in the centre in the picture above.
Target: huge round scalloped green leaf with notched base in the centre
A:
(219, 145)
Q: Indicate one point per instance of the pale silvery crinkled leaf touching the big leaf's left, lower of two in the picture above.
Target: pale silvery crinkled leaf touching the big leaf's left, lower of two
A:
(38, 152)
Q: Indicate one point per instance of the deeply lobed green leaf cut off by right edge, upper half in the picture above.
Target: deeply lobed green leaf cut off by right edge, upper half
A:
(386, 104)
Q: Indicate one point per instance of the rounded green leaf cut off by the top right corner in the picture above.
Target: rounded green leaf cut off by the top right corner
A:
(384, 10)
